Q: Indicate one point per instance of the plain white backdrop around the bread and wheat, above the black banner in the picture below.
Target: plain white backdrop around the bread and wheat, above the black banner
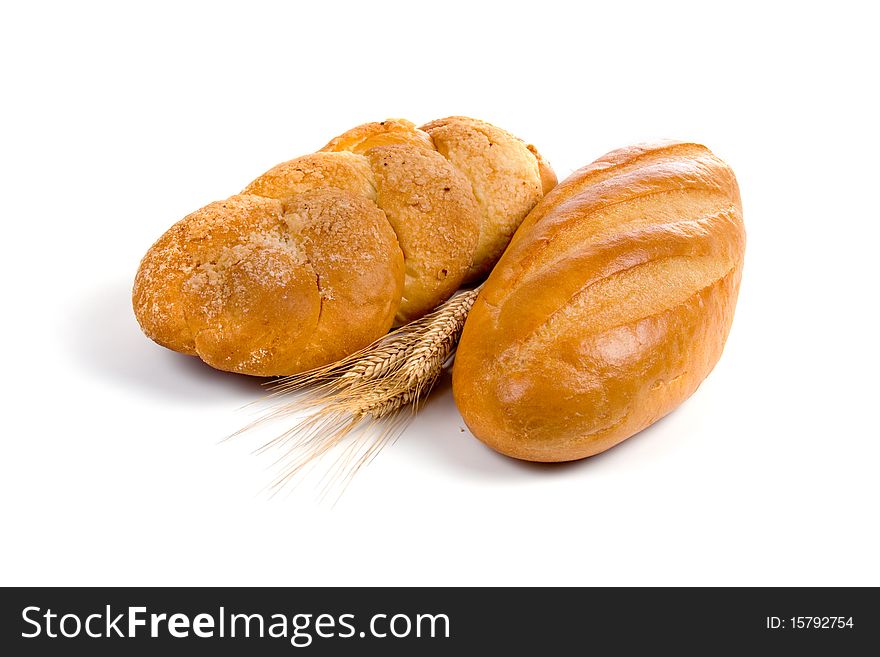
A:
(117, 121)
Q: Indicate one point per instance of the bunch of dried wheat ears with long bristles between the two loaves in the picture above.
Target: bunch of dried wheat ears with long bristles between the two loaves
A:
(361, 397)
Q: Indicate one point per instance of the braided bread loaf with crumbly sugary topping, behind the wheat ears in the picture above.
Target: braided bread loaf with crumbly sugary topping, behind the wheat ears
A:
(321, 255)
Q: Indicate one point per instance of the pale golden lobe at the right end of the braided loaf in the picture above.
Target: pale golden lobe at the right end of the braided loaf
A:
(505, 176)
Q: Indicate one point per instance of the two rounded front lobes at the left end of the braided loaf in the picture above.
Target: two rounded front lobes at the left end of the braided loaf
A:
(249, 290)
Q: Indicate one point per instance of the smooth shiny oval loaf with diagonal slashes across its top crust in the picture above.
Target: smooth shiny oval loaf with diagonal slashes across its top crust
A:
(610, 306)
